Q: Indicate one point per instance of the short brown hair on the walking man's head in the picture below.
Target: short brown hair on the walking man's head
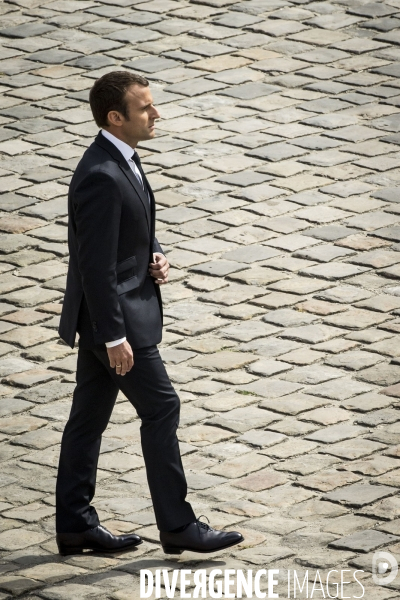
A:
(108, 93)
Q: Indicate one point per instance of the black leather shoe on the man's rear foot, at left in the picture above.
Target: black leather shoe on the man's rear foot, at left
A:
(98, 539)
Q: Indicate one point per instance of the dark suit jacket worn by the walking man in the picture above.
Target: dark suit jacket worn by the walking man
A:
(111, 241)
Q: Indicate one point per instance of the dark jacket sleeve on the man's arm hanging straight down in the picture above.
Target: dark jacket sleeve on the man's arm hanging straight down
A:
(97, 211)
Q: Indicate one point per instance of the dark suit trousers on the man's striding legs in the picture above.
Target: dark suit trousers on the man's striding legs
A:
(148, 388)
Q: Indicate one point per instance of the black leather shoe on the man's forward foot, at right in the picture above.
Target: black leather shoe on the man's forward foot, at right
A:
(198, 537)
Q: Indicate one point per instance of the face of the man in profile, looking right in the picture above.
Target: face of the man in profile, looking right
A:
(140, 125)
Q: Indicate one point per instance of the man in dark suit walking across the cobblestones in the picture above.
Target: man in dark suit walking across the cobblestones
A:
(113, 300)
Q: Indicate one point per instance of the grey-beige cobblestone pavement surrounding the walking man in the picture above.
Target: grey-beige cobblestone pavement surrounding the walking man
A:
(275, 166)
